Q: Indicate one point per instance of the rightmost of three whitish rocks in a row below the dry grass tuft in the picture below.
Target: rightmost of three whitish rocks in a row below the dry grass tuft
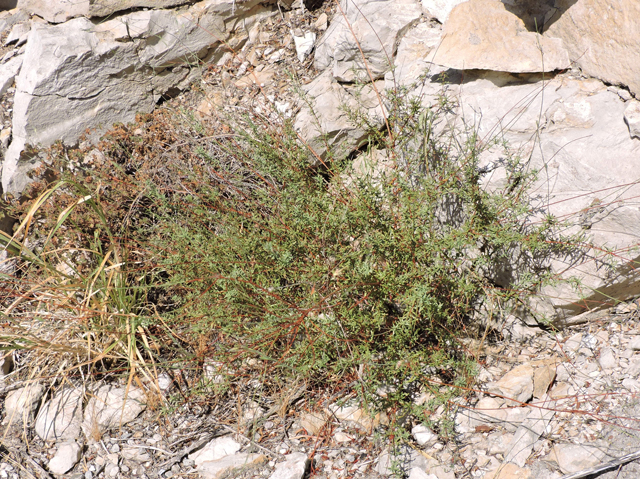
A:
(110, 407)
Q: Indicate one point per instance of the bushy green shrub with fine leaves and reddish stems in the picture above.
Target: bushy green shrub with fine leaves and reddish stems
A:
(353, 270)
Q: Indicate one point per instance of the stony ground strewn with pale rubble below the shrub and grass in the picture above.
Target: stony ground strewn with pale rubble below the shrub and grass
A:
(547, 404)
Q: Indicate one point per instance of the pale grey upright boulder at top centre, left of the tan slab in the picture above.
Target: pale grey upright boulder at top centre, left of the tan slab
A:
(378, 26)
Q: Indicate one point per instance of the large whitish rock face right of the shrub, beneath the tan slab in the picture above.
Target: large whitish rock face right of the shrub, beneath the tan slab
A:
(569, 157)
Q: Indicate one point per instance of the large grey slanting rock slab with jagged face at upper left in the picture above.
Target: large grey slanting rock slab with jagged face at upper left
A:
(77, 76)
